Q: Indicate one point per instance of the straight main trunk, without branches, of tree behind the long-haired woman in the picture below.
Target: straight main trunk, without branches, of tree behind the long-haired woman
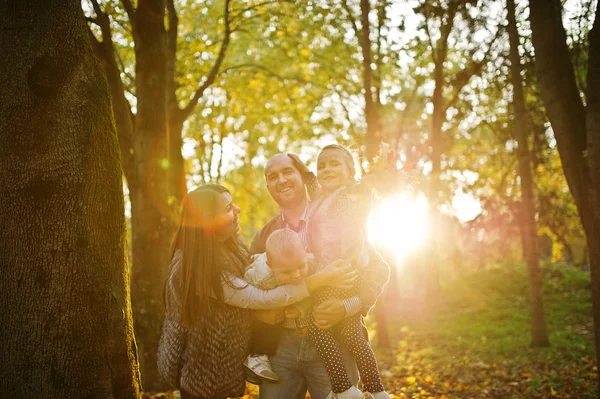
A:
(152, 218)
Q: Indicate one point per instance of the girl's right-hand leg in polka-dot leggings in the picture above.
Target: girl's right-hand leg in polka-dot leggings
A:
(354, 339)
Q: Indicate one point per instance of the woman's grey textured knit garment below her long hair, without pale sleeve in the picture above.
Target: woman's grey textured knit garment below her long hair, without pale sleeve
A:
(206, 360)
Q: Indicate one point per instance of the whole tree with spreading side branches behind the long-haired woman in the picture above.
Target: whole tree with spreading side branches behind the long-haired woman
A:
(150, 141)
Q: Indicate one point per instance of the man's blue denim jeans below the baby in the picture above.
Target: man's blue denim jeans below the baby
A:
(300, 369)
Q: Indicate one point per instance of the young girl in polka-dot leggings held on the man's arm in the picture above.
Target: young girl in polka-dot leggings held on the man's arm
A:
(337, 229)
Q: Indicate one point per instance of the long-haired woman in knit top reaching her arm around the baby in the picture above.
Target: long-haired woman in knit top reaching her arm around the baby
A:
(207, 323)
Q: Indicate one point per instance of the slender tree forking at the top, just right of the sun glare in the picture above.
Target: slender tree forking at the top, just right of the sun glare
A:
(446, 23)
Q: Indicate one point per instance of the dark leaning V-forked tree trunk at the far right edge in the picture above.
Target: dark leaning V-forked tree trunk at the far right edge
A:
(576, 128)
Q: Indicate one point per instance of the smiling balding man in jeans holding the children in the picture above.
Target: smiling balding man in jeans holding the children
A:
(297, 362)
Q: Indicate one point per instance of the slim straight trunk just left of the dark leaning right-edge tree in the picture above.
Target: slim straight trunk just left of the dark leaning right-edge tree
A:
(539, 334)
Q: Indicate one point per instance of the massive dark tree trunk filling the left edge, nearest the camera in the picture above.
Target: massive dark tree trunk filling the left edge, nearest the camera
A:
(64, 291)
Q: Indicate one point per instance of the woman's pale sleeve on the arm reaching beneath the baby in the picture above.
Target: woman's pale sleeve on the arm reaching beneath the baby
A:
(241, 294)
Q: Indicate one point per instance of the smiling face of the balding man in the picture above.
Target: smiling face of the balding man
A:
(284, 181)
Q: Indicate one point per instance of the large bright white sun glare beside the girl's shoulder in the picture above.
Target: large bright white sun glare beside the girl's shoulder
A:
(399, 224)
